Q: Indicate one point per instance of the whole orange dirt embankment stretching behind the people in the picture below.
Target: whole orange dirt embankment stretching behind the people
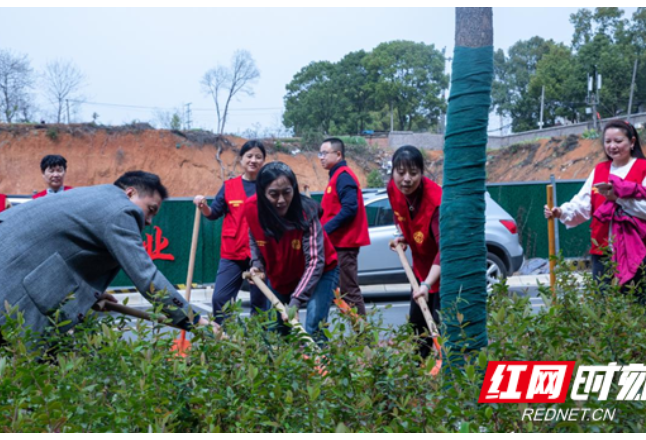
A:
(188, 165)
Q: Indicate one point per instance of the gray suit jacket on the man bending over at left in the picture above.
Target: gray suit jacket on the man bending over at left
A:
(75, 242)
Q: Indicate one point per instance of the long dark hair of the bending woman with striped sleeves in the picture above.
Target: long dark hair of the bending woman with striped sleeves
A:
(273, 224)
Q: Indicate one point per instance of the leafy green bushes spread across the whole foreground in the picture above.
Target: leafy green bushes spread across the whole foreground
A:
(97, 381)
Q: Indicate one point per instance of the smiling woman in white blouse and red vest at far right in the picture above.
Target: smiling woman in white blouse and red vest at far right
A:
(626, 164)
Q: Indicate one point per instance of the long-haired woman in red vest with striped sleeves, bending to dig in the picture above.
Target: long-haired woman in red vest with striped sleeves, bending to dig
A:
(290, 248)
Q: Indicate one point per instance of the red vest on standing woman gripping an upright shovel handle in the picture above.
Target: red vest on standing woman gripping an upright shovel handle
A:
(235, 233)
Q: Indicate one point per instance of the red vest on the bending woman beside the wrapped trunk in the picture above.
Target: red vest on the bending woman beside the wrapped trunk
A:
(417, 231)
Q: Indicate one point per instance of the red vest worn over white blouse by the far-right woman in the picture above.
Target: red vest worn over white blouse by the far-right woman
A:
(601, 231)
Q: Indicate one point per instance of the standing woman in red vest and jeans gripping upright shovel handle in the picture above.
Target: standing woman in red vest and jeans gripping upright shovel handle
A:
(235, 253)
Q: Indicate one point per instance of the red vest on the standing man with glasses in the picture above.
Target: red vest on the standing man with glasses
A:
(353, 234)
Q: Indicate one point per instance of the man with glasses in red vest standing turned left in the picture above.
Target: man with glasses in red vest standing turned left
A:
(344, 219)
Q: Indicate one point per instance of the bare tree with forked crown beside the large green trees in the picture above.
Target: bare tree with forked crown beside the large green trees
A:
(223, 83)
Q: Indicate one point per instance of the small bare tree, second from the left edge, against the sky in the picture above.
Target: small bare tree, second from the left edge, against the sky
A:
(62, 83)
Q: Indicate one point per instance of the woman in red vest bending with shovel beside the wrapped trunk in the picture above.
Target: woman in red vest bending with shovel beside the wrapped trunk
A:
(416, 203)
